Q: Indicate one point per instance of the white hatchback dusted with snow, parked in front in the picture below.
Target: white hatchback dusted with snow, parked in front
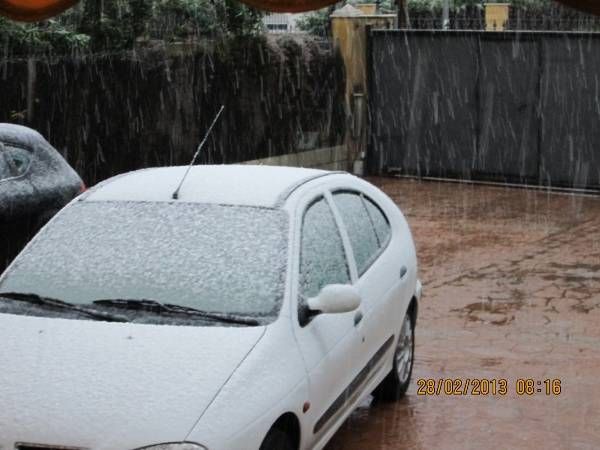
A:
(255, 311)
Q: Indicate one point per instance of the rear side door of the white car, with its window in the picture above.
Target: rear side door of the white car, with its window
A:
(382, 272)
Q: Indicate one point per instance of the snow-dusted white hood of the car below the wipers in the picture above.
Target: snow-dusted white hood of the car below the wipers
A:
(113, 386)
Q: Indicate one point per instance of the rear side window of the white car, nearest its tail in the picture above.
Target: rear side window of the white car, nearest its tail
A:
(367, 227)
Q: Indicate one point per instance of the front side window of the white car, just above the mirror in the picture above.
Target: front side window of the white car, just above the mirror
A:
(322, 257)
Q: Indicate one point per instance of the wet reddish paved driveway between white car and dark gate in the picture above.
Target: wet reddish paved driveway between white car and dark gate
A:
(511, 291)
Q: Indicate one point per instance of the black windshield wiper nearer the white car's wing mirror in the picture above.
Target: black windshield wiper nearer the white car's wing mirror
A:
(159, 308)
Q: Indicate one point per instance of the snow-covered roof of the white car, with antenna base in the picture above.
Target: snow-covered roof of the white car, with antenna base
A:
(247, 185)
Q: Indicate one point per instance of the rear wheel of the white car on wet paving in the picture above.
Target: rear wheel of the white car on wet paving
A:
(395, 384)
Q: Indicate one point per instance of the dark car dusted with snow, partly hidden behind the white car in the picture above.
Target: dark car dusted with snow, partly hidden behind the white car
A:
(35, 182)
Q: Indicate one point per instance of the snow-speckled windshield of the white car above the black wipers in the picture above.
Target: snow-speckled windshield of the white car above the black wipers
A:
(214, 258)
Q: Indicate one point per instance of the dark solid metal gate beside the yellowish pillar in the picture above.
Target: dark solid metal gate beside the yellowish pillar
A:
(512, 107)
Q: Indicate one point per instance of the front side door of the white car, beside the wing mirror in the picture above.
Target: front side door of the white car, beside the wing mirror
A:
(328, 342)
